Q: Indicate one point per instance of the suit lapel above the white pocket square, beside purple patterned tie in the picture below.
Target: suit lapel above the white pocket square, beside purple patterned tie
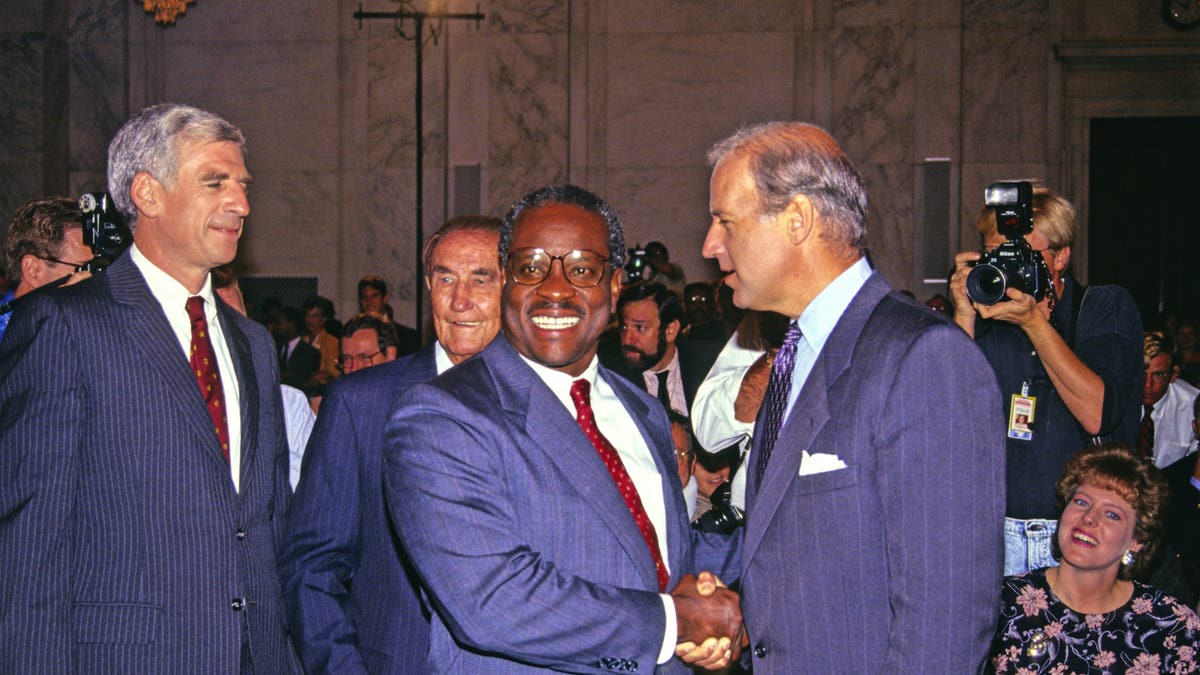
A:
(809, 416)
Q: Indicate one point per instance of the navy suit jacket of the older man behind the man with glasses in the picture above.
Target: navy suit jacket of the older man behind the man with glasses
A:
(352, 598)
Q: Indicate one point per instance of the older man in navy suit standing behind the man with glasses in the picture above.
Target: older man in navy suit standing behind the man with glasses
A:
(352, 594)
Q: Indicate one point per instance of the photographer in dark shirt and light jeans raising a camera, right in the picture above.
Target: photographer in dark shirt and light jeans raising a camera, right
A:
(1067, 359)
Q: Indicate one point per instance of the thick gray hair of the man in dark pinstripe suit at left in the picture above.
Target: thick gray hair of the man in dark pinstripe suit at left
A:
(151, 141)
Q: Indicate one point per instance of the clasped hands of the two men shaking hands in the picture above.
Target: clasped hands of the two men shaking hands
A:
(709, 618)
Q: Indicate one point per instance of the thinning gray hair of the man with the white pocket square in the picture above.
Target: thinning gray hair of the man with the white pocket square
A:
(790, 159)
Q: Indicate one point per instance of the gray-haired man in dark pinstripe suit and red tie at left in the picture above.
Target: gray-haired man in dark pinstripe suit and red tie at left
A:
(142, 440)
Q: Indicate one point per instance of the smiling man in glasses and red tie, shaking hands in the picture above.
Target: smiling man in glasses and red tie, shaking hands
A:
(537, 493)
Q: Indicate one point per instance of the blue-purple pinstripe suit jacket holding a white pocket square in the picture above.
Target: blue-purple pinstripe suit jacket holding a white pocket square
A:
(893, 564)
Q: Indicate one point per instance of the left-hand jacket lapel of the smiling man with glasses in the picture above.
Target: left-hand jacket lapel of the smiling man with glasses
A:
(555, 432)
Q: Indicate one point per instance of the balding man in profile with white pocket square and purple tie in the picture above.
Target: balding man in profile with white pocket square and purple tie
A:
(877, 489)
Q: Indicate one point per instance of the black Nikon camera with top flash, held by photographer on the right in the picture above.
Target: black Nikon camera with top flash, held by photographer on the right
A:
(1015, 264)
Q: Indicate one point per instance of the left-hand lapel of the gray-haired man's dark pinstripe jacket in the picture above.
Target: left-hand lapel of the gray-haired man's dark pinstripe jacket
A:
(159, 345)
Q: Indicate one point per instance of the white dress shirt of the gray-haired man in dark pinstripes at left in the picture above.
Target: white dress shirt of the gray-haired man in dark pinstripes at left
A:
(173, 297)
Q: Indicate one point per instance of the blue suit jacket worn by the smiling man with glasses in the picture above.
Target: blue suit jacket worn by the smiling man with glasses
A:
(526, 547)
